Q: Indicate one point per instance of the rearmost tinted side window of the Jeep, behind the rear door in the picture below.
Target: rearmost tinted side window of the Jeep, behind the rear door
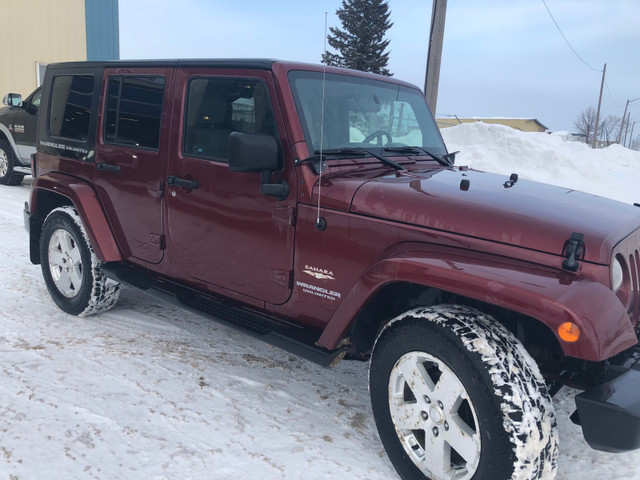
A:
(70, 110)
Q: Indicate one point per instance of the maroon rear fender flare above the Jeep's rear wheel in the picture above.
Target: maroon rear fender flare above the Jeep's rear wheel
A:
(86, 202)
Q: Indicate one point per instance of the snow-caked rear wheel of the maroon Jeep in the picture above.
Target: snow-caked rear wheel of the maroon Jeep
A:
(70, 267)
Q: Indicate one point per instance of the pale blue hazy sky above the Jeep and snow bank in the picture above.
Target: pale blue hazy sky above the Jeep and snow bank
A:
(500, 58)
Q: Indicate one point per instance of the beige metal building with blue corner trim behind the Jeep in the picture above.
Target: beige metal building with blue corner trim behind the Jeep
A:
(37, 32)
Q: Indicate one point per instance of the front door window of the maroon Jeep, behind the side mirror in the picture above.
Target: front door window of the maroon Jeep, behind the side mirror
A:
(218, 106)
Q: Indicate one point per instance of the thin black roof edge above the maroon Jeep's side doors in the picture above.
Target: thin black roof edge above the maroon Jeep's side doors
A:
(250, 63)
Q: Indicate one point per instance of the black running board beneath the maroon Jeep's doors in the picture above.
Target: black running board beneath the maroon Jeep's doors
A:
(289, 337)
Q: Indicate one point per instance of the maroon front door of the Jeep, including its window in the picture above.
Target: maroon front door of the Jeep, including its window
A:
(221, 230)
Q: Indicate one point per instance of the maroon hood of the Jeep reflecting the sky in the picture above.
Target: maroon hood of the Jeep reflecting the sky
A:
(525, 214)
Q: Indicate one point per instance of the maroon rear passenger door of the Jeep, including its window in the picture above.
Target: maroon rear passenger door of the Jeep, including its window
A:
(130, 154)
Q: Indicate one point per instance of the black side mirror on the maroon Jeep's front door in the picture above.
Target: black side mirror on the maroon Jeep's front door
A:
(257, 153)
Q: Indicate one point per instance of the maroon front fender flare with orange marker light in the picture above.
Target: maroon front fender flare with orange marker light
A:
(548, 295)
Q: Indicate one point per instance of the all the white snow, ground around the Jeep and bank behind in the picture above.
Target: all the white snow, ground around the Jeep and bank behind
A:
(148, 391)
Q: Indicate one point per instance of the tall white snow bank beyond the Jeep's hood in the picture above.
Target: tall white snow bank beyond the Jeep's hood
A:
(610, 172)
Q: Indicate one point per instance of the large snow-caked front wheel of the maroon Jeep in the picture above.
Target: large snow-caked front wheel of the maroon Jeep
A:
(456, 396)
